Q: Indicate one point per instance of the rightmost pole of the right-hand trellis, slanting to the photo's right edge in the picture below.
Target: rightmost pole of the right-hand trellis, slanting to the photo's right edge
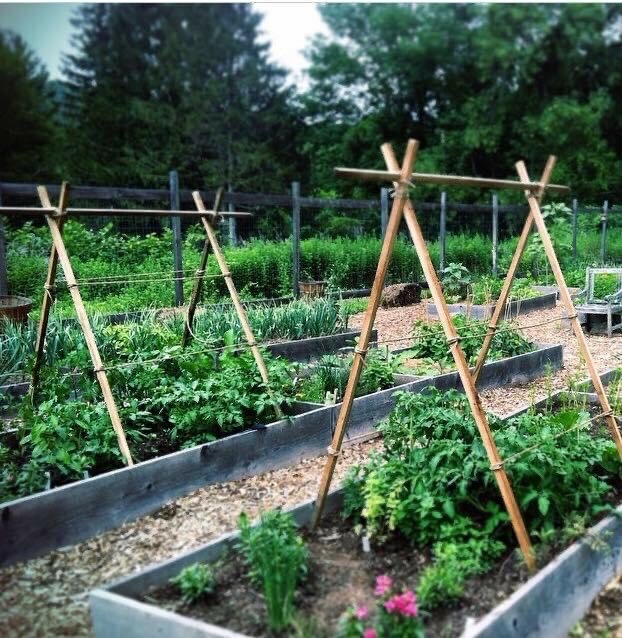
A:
(565, 298)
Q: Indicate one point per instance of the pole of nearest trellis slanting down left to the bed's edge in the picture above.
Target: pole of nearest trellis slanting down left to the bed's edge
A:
(370, 314)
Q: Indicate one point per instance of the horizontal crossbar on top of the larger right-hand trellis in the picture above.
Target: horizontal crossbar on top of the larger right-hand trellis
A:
(447, 180)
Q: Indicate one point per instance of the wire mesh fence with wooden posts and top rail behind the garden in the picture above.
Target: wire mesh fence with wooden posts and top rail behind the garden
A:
(289, 238)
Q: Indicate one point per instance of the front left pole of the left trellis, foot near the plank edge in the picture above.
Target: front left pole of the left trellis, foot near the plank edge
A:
(54, 224)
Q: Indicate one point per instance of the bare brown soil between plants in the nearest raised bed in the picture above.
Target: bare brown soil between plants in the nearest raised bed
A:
(340, 574)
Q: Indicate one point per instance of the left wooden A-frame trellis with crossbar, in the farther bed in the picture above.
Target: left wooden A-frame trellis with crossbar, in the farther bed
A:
(55, 217)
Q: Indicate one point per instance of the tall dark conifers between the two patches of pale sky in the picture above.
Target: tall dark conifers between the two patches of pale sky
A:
(172, 94)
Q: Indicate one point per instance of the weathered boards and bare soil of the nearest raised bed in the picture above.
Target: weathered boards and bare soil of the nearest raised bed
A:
(548, 604)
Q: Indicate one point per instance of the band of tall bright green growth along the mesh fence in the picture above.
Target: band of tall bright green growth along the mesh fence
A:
(260, 269)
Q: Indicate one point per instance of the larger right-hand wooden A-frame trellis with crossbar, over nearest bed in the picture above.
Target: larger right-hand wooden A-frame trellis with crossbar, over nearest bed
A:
(403, 178)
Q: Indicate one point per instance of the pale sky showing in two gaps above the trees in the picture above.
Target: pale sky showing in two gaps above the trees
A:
(287, 26)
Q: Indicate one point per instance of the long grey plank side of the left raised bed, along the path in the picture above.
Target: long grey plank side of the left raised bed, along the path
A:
(36, 524)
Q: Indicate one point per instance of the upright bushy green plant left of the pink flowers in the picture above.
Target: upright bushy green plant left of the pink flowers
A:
(277, 559)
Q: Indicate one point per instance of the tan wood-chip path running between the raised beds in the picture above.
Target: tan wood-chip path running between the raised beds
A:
(48, 596)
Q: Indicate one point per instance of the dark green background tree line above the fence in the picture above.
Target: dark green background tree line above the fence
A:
(154, 87)
